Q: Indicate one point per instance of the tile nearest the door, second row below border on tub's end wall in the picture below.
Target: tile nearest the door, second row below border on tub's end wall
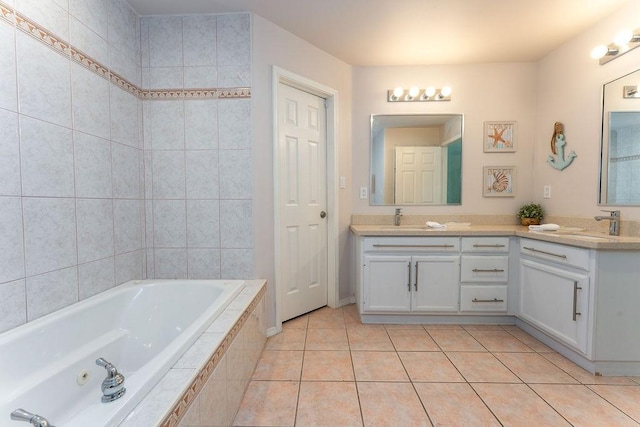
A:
(236, 174)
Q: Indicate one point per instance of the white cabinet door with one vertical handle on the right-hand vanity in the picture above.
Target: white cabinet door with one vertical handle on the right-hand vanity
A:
(556, 301)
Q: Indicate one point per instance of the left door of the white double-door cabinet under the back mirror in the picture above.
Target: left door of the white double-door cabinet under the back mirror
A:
(387, 283)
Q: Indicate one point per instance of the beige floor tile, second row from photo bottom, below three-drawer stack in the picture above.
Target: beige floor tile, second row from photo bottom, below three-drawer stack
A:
(481, 367)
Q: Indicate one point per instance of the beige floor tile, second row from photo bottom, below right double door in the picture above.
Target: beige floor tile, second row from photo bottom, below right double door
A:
(429, 367)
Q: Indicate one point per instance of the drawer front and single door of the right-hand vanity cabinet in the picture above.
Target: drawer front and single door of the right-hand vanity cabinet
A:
(555, 285)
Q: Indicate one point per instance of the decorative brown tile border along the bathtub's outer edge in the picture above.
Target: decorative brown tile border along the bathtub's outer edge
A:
(180, 408)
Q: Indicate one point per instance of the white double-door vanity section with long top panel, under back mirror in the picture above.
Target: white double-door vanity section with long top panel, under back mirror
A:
(410, 274)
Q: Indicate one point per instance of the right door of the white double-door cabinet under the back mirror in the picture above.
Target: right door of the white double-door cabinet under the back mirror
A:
(436, 283)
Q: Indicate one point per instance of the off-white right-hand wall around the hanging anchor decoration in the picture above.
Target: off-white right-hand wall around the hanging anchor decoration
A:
(570, 91)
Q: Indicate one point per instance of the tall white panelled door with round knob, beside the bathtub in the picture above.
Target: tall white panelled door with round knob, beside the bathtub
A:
(303, 200)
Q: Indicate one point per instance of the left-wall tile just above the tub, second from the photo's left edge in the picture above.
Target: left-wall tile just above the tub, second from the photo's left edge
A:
(52, 291)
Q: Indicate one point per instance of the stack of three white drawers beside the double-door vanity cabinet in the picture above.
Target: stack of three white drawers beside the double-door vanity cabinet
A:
(484, 273)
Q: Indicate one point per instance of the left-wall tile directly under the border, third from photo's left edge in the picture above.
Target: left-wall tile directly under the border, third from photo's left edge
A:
(90, 104)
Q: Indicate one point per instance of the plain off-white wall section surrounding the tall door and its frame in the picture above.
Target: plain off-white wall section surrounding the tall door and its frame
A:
(274, 46)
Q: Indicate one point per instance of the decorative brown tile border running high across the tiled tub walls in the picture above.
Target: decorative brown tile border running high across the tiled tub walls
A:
(26, 25)
